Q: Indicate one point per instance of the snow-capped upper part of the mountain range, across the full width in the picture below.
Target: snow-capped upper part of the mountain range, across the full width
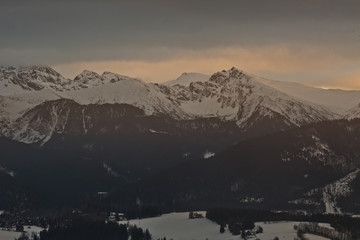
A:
(254, 103)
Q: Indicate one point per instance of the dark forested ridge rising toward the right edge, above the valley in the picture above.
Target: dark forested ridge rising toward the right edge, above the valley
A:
(314, 168)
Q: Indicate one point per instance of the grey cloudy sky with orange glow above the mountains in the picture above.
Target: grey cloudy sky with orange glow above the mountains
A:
(314, 42)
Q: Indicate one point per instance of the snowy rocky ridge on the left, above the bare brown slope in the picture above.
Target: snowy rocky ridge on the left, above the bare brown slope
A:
(23, 88)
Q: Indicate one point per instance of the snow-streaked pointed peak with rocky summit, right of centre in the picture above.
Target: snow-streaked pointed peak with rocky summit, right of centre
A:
(234, 95)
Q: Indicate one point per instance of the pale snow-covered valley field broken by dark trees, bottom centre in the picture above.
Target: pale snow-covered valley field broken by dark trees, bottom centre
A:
(178, 226)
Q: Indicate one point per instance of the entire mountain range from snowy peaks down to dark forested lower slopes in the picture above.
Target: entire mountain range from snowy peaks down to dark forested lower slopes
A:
(108, 131)
